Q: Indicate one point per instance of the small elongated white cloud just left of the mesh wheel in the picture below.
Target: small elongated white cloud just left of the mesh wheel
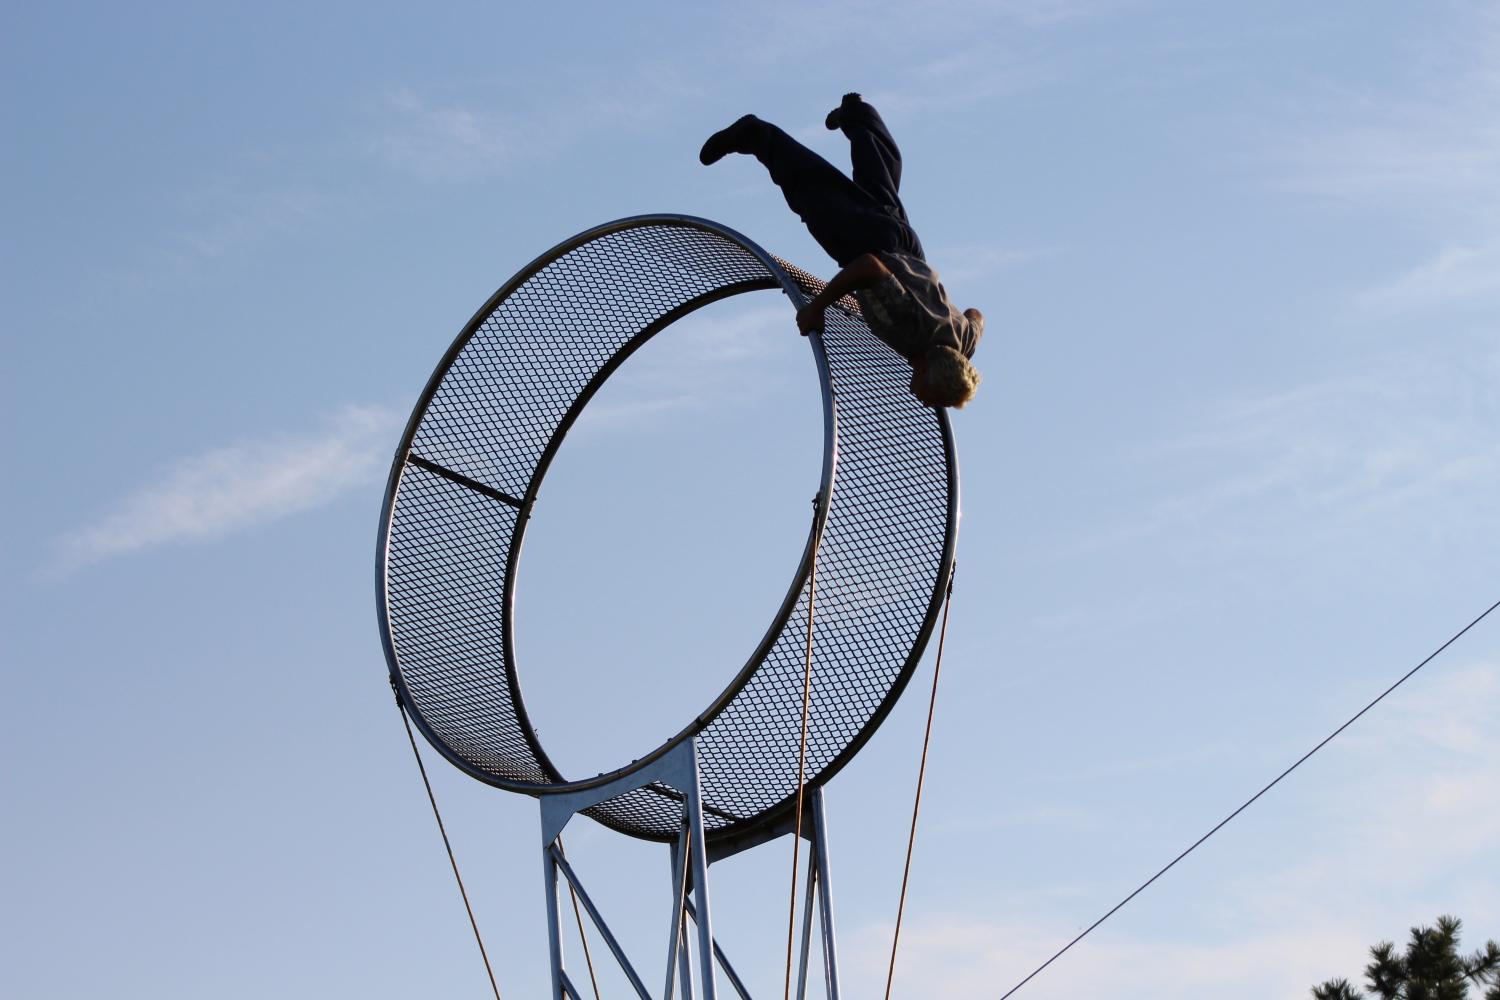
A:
(227, 490)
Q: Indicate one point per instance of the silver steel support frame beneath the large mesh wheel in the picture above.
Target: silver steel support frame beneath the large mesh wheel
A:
(691, 858)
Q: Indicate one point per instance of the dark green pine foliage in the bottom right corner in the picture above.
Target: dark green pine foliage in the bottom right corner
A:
(1430, 969)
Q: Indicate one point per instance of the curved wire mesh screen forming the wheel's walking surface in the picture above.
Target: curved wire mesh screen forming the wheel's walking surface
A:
(469, 473)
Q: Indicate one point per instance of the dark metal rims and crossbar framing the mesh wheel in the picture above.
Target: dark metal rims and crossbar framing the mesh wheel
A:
(797, 286)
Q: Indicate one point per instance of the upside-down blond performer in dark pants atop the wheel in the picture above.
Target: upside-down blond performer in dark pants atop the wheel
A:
(862, 224)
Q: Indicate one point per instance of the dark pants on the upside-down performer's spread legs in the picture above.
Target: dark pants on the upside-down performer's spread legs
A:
(848, 218)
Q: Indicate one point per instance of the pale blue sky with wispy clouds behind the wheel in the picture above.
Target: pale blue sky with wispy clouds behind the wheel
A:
(1232, 472)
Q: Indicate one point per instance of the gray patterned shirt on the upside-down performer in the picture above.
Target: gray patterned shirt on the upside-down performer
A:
(910, 310)
